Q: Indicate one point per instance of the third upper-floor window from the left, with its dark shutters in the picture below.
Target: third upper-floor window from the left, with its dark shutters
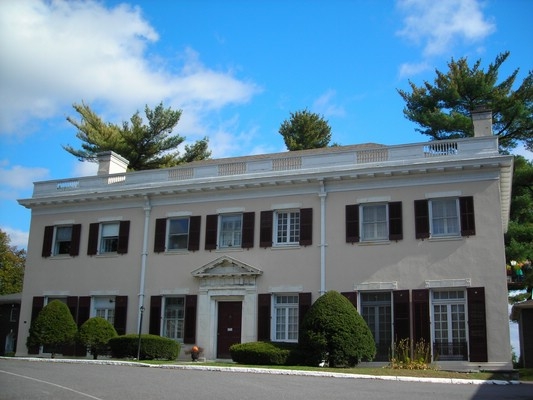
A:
(179, 233)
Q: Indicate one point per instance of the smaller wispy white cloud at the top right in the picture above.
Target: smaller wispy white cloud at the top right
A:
(436, 25)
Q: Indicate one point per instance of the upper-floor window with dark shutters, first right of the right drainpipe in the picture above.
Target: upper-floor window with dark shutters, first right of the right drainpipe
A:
(371, 222)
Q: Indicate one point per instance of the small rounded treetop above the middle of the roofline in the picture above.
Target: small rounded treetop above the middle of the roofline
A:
(305, 130)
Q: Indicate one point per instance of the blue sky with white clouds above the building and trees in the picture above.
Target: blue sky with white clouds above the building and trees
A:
(237, 69)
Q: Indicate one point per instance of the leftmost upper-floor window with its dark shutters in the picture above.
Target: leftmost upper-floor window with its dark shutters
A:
(61, 240)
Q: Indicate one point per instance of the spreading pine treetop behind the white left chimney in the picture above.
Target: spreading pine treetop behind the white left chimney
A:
(145, 146)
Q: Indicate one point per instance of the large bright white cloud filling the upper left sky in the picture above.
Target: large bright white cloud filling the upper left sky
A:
(62, 52)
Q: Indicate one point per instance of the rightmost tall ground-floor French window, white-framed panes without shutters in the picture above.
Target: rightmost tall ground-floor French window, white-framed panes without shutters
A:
(449, 328)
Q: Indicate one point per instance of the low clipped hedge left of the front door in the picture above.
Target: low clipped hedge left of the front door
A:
(153, 347)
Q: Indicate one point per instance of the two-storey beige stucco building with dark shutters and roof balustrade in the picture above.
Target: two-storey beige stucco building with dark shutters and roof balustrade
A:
(236, 250)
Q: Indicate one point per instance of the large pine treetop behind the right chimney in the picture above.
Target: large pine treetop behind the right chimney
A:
(443, 109)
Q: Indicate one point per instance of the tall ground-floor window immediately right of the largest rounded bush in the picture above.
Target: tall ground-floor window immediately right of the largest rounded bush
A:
(377, 312)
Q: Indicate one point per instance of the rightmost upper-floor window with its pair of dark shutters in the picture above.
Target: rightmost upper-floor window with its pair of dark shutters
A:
(445, 217)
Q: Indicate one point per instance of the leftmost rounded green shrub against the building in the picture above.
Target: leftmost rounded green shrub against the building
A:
(53, 327)
